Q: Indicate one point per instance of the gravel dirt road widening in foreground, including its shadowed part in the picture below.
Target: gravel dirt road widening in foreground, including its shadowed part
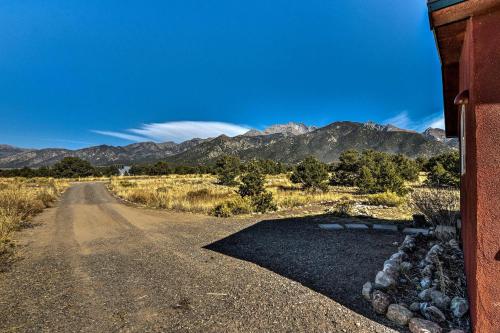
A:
(95, 265)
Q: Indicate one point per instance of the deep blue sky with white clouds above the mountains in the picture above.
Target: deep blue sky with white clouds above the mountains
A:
(77, 73)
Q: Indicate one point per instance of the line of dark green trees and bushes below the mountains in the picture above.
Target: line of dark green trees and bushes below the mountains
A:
(370, 171)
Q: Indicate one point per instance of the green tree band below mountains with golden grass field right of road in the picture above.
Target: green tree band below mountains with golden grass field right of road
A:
(233, 187)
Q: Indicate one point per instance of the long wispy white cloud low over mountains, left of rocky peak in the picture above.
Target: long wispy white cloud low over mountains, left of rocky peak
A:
(177, 131)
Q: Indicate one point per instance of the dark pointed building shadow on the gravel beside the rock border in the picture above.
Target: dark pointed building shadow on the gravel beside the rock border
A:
(333, 263)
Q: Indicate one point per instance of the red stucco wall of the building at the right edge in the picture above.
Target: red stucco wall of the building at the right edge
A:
(480, 74)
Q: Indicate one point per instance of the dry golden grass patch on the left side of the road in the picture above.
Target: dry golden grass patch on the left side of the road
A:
(21, 199)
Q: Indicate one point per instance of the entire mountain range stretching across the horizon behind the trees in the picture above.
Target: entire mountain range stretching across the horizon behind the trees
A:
(287, 143)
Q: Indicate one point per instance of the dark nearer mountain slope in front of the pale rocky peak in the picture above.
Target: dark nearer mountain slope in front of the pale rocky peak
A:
(326, 143)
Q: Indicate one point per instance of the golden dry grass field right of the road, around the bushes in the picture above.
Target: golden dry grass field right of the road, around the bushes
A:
(201, 193)
